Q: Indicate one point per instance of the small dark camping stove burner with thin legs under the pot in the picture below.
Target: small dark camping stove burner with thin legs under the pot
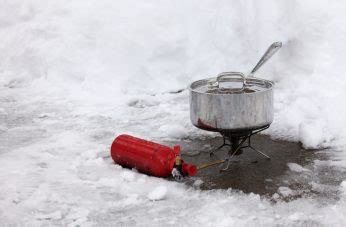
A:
(235, 140)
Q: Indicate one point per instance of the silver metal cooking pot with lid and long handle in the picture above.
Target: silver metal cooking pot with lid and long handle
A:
(233, 102)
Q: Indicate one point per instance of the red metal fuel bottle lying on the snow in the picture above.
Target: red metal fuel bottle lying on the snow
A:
(149, 157)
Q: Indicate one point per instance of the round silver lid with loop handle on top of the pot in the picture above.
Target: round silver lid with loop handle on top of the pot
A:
(231, 83)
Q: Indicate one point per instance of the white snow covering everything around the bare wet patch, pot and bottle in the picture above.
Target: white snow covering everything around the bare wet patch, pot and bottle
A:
(74, 74)
